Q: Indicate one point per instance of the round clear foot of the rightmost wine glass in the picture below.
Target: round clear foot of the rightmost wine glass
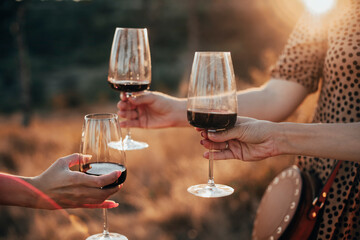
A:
(207, 191)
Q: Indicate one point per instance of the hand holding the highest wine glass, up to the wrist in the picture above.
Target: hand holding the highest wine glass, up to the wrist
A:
(152, 110)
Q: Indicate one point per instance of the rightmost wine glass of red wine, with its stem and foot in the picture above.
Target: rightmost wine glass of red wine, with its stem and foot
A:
(212, 105)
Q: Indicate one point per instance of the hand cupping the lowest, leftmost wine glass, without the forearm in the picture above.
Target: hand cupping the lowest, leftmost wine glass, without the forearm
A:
(73, 189)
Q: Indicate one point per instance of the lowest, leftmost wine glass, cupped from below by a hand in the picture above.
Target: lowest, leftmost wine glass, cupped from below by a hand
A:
(100, 139)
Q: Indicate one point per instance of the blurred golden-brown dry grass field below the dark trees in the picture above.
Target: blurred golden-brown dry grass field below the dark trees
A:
(154, 203)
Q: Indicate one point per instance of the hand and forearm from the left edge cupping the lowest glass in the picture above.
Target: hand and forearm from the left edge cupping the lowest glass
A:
(58, 187)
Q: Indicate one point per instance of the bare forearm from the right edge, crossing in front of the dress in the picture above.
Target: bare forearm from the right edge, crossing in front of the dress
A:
(339, 141)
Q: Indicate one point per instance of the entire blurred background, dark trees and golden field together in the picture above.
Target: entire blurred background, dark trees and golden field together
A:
(53, 70)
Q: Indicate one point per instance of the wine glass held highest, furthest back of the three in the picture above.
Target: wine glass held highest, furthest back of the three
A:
(130, 69)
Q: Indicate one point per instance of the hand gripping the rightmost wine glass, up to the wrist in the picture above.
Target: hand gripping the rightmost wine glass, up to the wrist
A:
(249, 140)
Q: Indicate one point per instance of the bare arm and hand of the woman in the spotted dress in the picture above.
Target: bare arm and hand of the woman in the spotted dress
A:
(274, 101)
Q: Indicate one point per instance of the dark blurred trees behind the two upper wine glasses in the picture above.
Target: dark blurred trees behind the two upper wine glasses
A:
(67, 43)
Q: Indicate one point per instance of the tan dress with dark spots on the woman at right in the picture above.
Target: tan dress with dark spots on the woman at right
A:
(327, 47)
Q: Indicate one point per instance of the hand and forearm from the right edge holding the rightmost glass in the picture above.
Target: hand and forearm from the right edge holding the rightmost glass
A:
(252, 140)
